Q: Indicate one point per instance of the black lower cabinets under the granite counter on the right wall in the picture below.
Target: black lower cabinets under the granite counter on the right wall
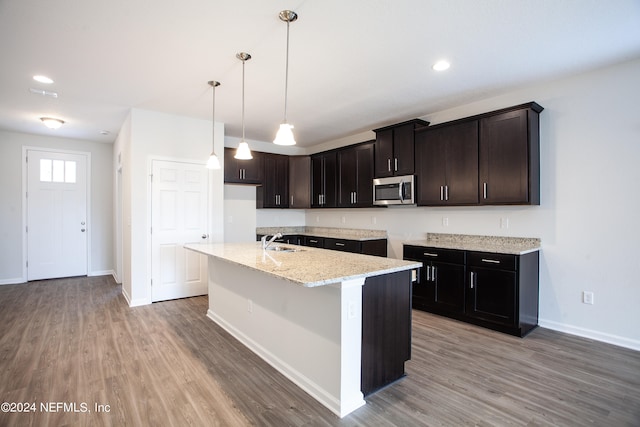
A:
(496, 291)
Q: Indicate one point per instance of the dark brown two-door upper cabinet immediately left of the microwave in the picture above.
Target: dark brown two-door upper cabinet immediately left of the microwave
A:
(355, 176)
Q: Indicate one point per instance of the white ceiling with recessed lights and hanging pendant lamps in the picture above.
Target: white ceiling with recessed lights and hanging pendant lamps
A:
(354, 65)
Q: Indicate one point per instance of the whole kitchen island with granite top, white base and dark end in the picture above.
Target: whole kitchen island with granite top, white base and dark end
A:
(336, 324)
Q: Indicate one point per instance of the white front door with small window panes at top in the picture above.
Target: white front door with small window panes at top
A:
(56, 215)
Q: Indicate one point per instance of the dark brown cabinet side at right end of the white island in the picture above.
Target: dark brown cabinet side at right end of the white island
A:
(386, 329)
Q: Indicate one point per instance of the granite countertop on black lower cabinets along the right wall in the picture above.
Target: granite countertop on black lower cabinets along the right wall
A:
(492, 244)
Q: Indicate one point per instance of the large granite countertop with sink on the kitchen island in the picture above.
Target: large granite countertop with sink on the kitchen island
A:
(309, 267)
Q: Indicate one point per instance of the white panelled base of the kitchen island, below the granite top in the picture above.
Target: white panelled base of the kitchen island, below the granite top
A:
(312, 335)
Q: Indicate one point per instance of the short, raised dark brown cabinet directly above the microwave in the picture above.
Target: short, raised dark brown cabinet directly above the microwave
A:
(394, 148)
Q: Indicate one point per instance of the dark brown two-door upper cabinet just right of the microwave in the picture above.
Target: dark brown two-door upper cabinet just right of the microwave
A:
(447, 164)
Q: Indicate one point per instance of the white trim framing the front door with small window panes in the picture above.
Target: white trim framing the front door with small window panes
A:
(25, 149)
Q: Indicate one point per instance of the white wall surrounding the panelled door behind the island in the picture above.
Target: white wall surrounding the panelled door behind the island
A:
(153, 135)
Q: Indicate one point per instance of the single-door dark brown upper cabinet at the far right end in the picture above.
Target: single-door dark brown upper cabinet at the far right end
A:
(509, 156)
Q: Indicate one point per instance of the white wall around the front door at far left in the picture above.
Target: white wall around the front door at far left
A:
(11, 230)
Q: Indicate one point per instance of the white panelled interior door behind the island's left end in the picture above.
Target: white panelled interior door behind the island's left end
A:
(179, 194)
